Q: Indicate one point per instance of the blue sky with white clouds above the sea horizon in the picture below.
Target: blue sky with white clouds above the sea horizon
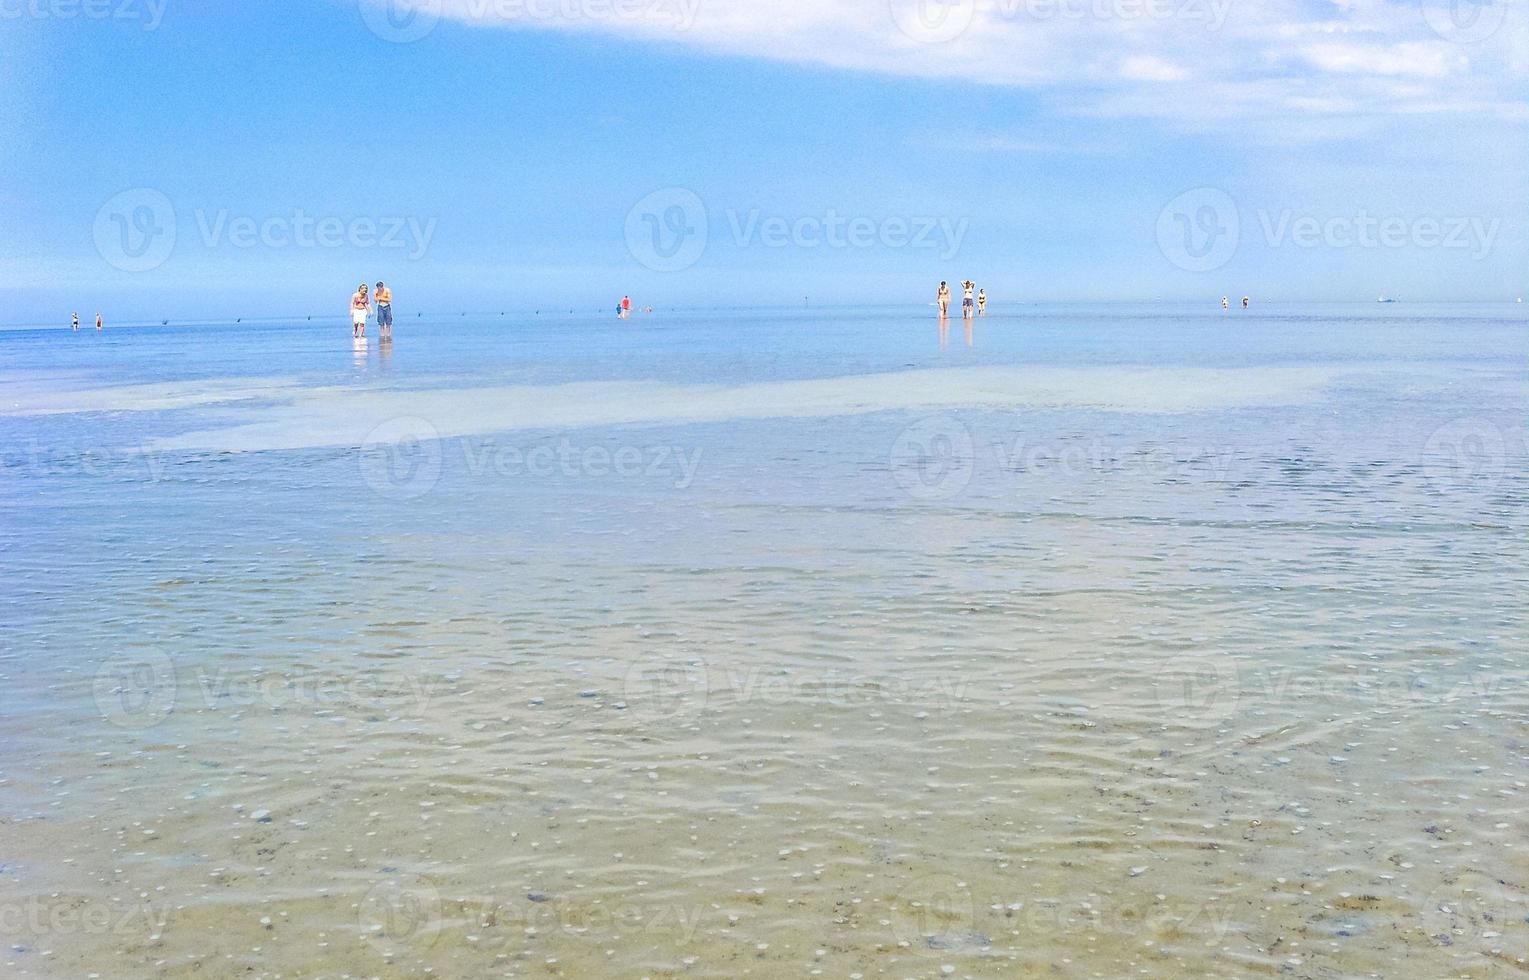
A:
(216, 158)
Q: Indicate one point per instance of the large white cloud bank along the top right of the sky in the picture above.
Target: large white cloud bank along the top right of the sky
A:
(1187, 60)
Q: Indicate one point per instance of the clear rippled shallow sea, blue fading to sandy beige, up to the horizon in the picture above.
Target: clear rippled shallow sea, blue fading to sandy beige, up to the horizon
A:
(1111, 641)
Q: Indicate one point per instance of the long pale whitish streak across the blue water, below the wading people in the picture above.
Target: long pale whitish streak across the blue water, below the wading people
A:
(294, 417)
